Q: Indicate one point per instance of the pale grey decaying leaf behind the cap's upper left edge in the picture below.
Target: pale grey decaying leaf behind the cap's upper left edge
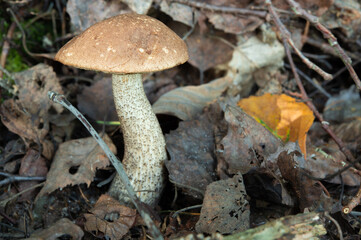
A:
(84, 13)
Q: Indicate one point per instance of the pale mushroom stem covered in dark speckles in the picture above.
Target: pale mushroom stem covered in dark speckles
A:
(144, 144)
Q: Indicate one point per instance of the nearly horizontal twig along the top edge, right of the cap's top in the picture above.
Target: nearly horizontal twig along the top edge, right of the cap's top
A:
(223, 9)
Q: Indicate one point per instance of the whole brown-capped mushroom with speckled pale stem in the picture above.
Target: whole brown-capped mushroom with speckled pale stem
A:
(126, 46)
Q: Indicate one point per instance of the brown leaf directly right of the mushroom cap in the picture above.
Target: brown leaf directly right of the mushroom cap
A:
(203, 54)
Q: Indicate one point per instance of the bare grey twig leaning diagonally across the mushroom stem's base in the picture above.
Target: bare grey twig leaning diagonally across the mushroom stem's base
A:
(144, 212)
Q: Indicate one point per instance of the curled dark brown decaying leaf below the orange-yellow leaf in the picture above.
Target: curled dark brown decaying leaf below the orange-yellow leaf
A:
(288, 163)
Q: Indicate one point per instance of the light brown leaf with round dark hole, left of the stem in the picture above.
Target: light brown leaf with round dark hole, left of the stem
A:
(76, 162)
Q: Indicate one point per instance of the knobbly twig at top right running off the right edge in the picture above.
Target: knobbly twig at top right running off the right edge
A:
(332, 40)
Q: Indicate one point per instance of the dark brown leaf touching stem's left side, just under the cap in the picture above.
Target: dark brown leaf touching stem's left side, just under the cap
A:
(97, 101)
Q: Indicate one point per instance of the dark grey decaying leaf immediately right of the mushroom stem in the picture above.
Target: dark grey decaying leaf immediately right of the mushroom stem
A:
(191, 150)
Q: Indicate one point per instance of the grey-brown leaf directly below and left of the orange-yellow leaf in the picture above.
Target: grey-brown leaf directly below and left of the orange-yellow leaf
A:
(247, 143)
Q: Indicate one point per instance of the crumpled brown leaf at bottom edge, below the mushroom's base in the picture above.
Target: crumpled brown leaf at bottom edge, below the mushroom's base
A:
(98, 219)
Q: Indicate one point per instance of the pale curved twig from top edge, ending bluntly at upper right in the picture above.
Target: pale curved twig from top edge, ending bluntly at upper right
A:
(286, 35)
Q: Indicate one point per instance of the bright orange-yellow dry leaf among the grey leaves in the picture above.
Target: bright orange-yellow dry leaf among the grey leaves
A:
(282, 115)
